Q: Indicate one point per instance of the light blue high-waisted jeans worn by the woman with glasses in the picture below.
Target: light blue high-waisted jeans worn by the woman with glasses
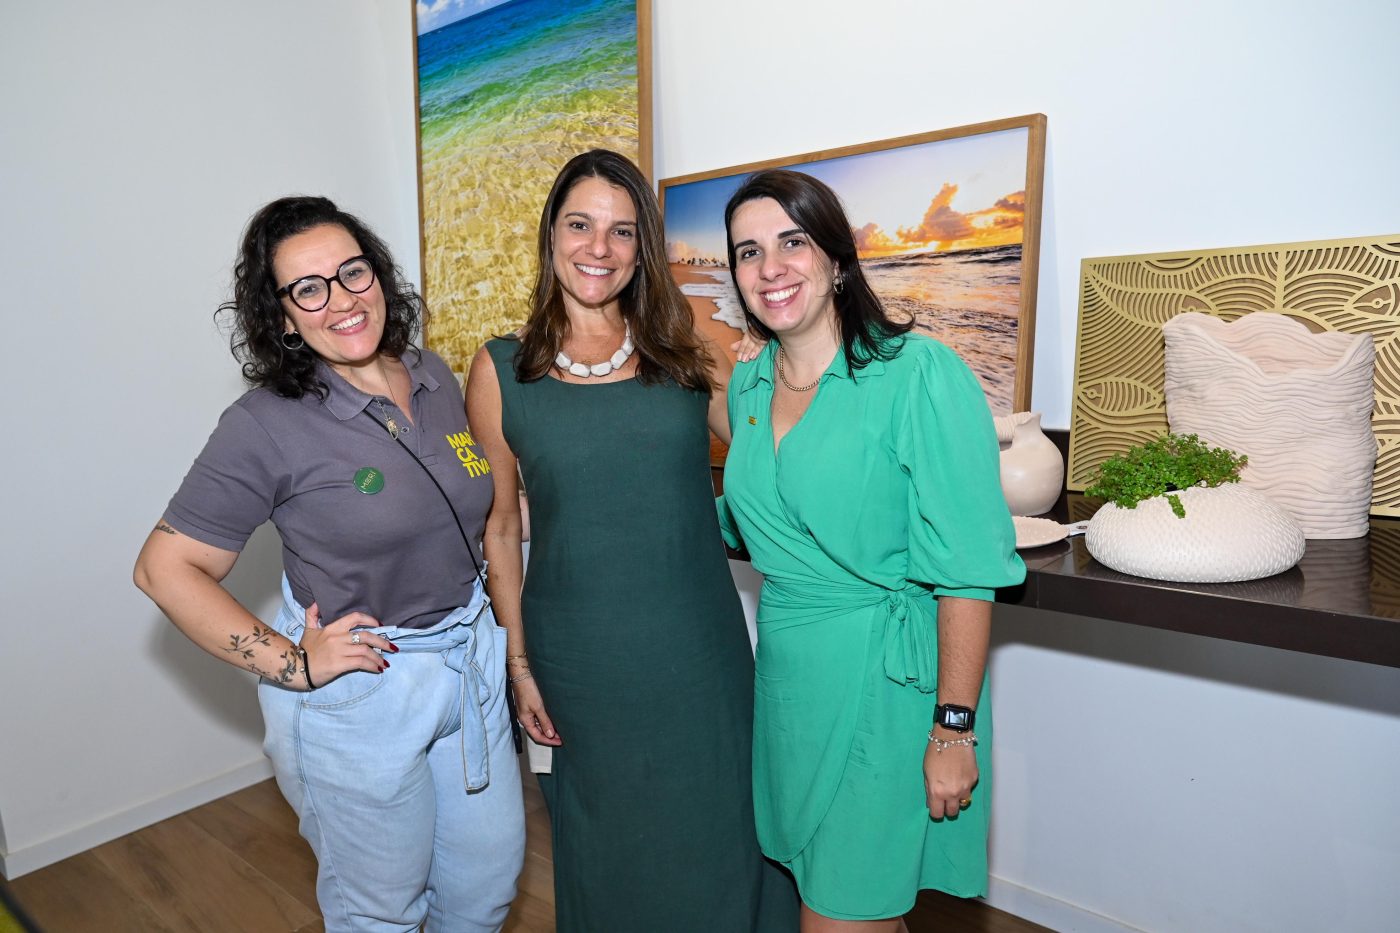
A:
(407, 782)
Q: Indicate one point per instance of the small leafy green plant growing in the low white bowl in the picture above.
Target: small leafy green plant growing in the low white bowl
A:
(1161, 467)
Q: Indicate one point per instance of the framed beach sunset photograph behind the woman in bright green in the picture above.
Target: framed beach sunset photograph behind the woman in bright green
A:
(948, 232)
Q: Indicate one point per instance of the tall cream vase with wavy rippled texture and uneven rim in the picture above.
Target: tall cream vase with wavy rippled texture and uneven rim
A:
(1297, 403)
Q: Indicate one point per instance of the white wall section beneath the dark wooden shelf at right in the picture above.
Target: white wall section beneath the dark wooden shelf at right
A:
(1172, 782)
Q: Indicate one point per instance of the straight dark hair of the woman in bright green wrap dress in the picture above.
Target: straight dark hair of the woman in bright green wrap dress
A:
(867, 333)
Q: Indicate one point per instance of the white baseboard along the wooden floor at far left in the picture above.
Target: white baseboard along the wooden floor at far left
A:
(94, 834)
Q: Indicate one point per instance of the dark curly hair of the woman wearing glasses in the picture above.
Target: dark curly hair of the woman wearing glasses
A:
(258, 316)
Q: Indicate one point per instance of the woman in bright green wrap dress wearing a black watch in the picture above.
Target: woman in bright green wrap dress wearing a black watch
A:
(863, 480)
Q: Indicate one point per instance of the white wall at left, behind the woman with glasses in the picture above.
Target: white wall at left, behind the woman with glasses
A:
(138, 141)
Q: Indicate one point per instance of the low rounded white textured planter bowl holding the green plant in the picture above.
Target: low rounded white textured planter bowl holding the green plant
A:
(1230, 533)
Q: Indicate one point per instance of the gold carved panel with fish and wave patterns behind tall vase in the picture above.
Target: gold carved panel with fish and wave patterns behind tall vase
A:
(1336, 285)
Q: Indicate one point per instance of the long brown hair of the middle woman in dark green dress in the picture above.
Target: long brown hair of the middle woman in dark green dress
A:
(663, 327)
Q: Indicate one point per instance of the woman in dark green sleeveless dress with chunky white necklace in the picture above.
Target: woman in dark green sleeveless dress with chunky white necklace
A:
(638, 670)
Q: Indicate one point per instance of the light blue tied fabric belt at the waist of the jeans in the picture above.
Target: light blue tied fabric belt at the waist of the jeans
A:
(458, 638)
